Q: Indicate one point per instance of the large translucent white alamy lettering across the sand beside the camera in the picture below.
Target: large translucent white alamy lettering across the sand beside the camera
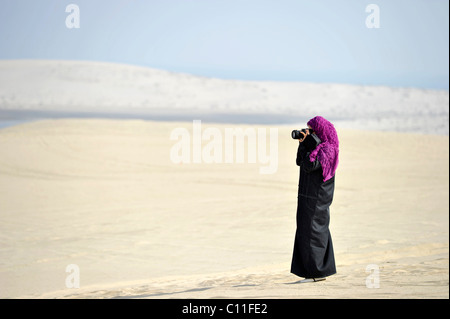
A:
(212, 146)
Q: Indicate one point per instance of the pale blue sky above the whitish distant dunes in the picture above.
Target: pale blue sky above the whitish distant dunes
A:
(290, 40)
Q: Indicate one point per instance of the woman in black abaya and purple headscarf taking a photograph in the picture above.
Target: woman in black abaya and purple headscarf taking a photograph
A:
(313, 256)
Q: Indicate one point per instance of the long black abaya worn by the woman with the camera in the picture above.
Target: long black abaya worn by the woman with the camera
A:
(313, 255)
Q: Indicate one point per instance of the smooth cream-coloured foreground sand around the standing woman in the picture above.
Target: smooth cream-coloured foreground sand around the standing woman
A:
(104, 195)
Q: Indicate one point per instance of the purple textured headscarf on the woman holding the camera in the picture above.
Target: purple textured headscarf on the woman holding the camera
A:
(326, 152)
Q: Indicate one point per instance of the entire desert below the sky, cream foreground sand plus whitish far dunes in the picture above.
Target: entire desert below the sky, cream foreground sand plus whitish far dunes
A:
(87, 179)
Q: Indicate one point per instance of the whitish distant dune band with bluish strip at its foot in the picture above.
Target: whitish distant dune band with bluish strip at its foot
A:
(47, 88)
